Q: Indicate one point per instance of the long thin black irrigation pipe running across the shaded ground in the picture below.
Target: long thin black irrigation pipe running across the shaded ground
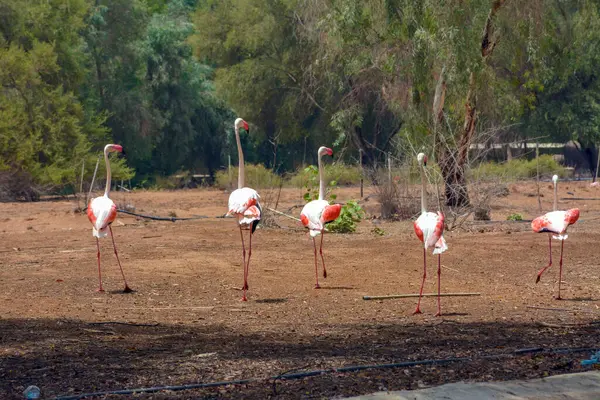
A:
(355, 368)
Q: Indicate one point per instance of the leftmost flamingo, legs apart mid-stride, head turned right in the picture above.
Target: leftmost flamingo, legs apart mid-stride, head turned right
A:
(102, 211)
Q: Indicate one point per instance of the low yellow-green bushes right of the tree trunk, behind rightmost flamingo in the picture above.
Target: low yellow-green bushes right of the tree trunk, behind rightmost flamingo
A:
(518, 169)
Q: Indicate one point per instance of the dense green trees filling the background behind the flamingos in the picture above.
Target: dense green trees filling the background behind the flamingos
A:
(166, 79)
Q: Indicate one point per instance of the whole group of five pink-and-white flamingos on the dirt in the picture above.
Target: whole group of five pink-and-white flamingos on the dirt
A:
(245, 207)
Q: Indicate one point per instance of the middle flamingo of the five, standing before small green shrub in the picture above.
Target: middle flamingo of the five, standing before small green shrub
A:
(317, 213)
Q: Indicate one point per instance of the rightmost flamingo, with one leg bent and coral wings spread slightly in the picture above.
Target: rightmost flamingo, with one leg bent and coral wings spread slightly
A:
(556, 224)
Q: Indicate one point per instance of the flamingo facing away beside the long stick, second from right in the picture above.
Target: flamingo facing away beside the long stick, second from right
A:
(429, 228)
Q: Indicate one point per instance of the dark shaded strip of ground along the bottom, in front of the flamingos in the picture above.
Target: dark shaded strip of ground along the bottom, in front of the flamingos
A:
(73, 356)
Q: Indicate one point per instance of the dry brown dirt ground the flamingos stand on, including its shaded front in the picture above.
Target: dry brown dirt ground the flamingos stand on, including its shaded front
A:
(185, 323)
